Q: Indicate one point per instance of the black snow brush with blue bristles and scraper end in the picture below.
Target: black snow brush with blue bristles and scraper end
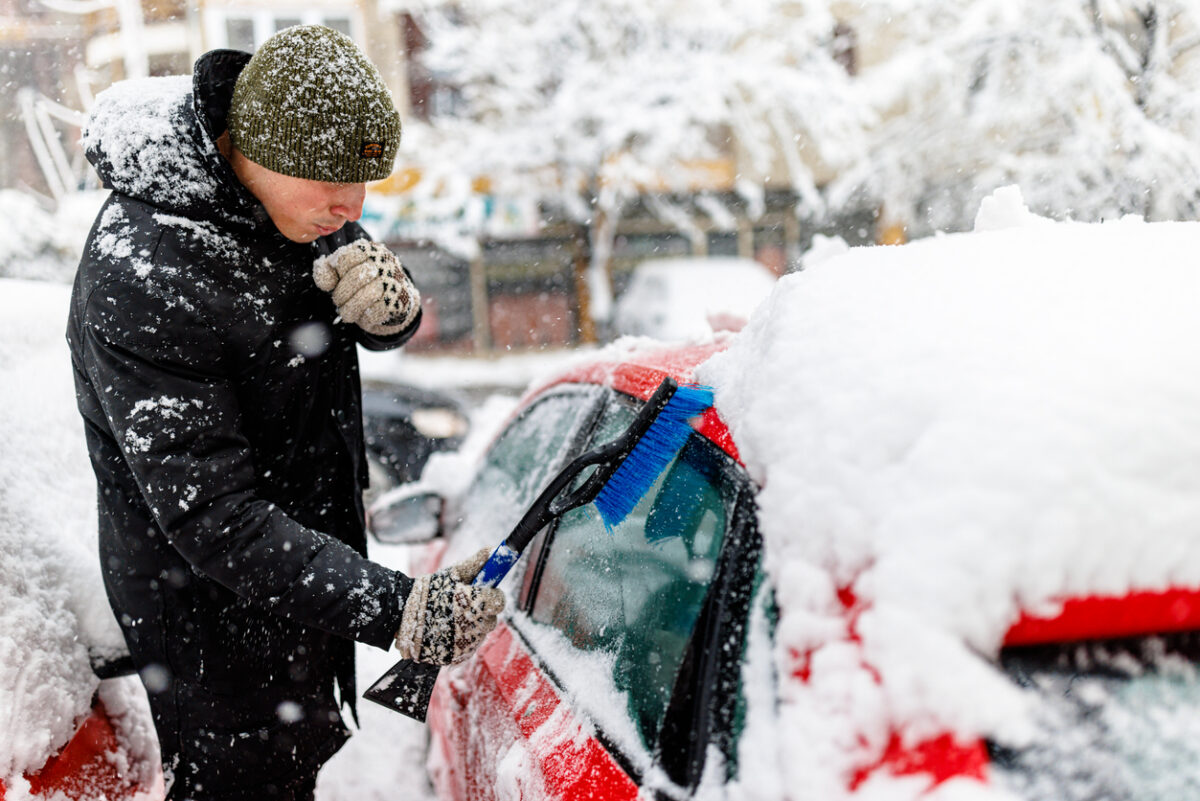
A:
(626, 469)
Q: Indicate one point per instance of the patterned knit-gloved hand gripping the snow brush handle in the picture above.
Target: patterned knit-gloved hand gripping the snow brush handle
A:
(447, 618)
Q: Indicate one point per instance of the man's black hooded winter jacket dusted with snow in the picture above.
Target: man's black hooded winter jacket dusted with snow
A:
(223, 412)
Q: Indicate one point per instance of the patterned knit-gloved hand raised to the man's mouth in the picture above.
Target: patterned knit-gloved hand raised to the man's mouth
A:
(369, 286)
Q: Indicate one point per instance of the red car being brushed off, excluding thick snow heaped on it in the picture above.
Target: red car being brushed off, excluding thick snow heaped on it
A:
(625, 668)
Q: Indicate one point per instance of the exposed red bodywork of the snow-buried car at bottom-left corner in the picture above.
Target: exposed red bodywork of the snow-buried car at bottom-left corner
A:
(86, 768)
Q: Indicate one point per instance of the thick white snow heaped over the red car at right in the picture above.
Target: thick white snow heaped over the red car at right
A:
(947, 433)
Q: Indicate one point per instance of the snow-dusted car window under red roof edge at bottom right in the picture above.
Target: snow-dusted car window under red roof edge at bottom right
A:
(1119, 721)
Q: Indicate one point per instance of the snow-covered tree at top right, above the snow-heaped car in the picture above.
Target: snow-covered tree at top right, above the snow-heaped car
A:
(1093, 107)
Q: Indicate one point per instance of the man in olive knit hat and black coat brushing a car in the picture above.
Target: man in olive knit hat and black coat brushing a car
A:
(214, 323)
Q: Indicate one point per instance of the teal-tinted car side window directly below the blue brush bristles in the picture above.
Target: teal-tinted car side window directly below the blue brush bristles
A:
(635, 594)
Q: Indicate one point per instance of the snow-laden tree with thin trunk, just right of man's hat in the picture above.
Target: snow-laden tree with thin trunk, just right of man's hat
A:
(590, 104)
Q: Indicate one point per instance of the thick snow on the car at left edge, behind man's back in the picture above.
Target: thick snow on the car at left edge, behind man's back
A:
(52, 601)
